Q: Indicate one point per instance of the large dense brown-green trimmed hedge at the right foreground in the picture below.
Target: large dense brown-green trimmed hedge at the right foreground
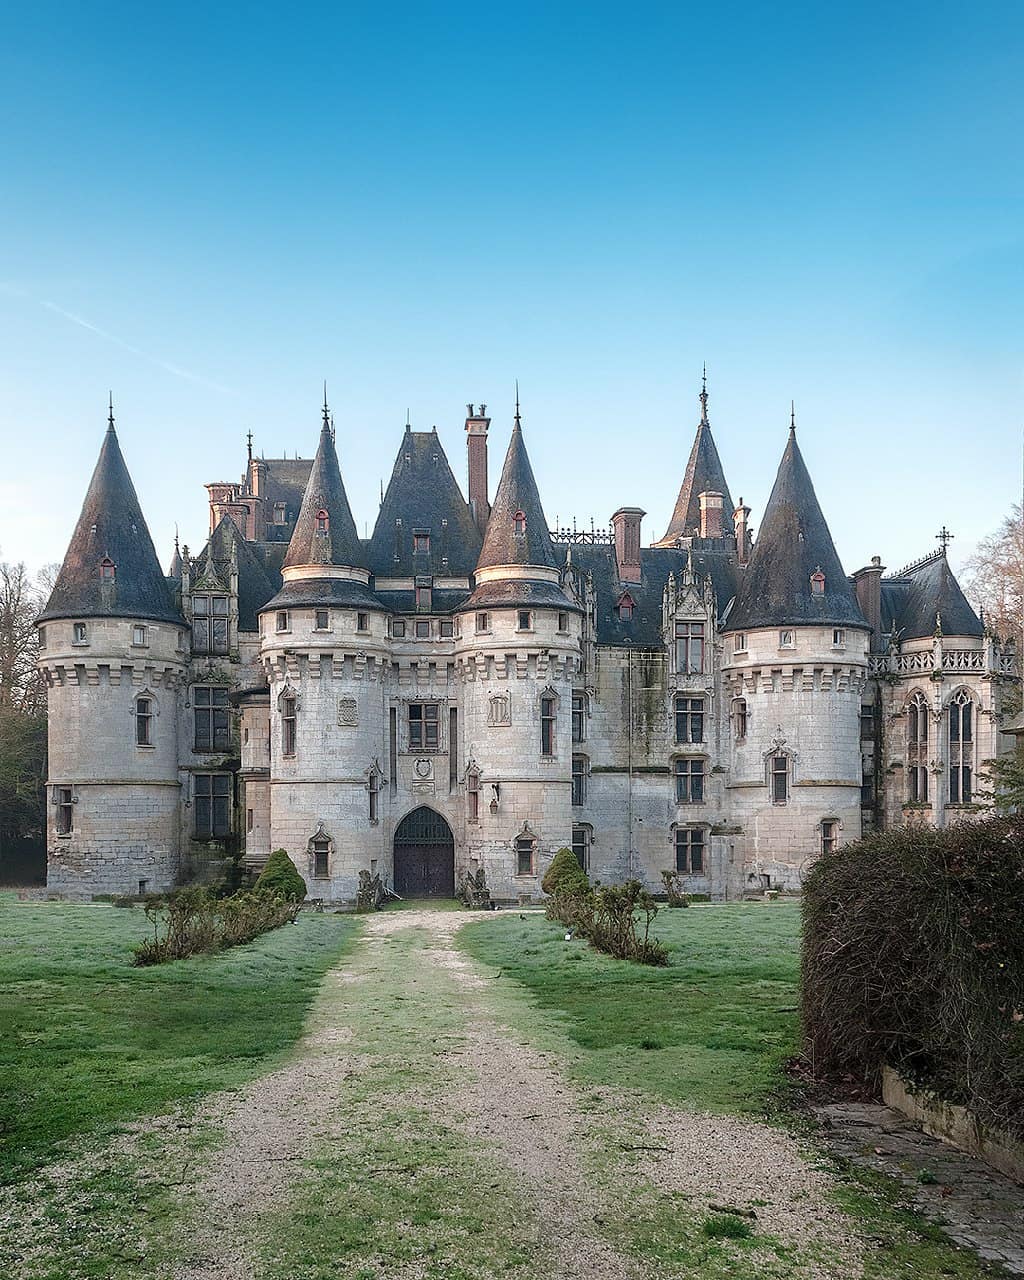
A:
(915, 958)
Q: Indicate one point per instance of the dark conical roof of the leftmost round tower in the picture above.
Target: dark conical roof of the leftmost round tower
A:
(112, 529)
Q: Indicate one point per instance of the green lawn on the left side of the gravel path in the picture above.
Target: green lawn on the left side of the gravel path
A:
(88, 1041)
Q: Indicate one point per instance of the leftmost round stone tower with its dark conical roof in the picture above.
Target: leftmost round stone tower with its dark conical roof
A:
(113, 652)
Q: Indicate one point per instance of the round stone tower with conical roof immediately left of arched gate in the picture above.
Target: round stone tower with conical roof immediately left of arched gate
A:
(324, 646)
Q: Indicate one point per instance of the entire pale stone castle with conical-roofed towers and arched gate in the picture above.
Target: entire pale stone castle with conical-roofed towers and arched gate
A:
(472, 691)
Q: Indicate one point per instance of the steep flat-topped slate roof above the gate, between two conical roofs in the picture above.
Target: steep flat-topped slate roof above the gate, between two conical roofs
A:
(424, 497)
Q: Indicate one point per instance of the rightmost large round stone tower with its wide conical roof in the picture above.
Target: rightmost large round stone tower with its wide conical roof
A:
(796, 674)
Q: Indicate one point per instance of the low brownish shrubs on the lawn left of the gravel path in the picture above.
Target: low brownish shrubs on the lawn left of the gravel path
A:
(195, 921)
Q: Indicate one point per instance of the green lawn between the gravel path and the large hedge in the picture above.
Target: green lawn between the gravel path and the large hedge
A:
(712, 1030)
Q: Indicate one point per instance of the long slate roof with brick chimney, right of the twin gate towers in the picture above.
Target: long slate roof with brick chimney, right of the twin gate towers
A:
(656, 565)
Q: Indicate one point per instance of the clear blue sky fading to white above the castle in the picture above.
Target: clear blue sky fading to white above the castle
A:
(212, 209)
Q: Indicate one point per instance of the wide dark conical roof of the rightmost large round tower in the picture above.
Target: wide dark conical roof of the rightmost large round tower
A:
(794, 545)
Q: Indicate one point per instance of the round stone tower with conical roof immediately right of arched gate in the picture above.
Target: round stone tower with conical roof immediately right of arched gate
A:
(518, 652)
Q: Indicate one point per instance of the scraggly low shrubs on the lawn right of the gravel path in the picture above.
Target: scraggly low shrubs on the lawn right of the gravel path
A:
(614, 918)
